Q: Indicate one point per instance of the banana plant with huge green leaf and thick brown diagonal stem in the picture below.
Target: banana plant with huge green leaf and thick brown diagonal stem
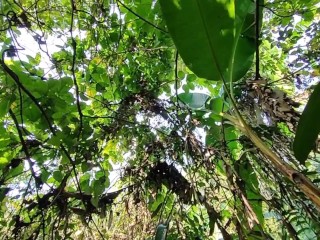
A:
(217, 40)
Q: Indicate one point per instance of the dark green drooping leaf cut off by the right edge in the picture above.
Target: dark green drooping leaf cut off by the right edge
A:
(308, 127)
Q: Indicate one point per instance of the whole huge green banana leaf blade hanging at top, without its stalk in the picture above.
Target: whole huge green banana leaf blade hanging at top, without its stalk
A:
(215, 38)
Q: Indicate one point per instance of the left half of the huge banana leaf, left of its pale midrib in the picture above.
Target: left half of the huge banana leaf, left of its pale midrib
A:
(191, 25)
